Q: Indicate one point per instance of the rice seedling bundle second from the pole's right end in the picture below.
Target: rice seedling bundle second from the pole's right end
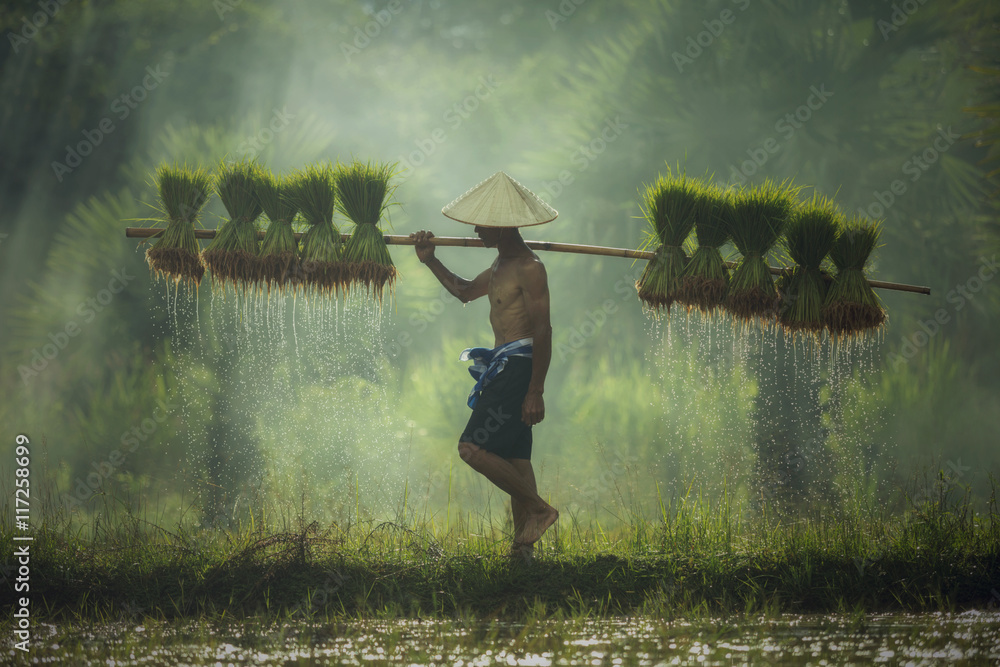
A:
(808, 239)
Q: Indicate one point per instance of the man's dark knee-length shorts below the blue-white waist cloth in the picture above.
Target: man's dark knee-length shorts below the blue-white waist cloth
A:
(495, 424)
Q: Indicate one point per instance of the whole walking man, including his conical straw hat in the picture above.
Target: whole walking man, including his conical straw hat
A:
(507, 399)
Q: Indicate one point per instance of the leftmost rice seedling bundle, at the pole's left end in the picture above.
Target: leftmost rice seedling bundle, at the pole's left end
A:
(183, 193)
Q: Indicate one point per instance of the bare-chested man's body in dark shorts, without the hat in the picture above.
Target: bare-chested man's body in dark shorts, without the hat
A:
(497, 440)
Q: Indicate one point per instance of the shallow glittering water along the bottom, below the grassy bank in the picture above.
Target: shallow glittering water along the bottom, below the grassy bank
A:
(971, 638)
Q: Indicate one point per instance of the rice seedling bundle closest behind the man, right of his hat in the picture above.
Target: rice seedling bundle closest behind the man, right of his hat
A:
(669, 206)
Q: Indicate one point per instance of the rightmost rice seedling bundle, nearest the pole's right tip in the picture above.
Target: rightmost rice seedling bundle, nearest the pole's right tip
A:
(852, 308)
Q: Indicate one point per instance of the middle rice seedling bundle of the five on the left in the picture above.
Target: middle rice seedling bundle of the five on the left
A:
(279, 252)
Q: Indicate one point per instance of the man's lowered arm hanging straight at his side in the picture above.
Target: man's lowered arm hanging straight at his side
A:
(535, 288)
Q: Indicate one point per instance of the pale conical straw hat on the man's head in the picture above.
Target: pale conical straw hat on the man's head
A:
(500, 201)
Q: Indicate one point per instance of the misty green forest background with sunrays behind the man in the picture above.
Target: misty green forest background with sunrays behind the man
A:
(218, 404)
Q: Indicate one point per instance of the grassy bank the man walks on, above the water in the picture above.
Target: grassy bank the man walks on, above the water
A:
(692, 558)
